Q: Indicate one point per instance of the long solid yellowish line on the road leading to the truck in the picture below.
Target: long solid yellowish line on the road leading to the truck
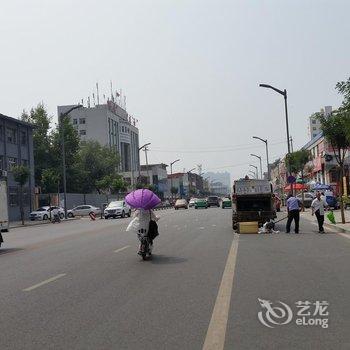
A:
(215, 338)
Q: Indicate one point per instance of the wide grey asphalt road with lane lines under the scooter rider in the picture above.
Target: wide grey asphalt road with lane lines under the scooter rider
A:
(81, 285)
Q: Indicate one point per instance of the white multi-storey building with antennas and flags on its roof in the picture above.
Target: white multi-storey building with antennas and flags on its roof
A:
(111, 125)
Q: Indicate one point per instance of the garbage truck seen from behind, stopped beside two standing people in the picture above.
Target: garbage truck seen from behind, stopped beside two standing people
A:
(252, 201)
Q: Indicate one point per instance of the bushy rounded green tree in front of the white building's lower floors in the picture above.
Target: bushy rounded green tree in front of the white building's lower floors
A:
(94, 163)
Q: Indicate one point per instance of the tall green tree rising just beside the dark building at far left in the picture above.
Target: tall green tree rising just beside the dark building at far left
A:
(39, 117)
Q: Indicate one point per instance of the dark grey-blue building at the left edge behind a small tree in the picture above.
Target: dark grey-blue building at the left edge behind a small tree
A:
(16, 148)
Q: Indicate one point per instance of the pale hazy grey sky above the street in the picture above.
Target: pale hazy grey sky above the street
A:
(189, 68)
